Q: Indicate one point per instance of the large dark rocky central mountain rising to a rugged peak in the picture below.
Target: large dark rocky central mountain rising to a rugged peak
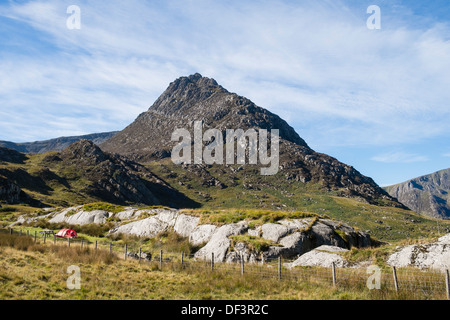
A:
(197, 98)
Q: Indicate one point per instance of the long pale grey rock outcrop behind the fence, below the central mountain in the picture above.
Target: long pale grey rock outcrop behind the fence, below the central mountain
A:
(288, 238)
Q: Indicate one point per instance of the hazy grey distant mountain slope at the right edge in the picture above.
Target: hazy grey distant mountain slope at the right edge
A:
(427, 195)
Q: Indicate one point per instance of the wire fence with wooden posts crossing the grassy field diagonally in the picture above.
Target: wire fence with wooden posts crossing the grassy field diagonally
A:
(430, 283)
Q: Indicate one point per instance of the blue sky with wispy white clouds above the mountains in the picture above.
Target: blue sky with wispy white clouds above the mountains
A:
(378, 100)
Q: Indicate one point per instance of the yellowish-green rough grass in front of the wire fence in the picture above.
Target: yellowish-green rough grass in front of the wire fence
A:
(40, 271)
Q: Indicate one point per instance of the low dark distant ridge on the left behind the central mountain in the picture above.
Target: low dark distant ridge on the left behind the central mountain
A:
(56, 144)
